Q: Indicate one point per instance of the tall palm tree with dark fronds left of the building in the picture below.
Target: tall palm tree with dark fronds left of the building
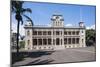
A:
(17, 8)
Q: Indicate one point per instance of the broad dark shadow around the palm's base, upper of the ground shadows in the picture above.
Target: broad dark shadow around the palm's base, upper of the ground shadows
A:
(23, 55)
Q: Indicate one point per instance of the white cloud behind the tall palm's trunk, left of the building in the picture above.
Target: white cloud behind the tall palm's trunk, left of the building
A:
(14, 28)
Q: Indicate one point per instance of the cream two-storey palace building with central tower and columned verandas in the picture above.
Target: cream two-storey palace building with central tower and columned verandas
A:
(54, 37)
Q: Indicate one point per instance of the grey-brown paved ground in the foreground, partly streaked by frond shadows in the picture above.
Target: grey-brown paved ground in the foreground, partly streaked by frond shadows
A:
(61, 56)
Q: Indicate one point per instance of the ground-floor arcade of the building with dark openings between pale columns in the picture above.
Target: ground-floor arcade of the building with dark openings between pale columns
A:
(55, 43)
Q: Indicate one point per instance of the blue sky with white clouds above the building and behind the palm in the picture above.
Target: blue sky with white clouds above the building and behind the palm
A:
(72, 14)
